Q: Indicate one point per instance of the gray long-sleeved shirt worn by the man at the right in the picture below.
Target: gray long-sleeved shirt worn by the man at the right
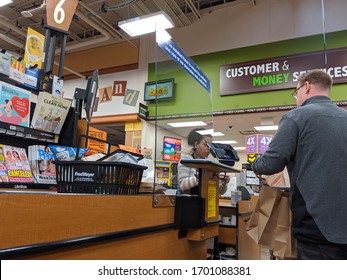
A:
(312, 142)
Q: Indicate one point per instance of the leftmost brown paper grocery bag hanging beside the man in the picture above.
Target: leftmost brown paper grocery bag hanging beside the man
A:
(263, 222)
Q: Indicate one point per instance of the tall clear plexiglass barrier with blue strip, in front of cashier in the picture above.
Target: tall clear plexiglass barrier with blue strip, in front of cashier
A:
(178, 92)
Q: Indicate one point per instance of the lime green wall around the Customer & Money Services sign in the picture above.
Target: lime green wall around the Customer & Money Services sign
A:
(188, 92)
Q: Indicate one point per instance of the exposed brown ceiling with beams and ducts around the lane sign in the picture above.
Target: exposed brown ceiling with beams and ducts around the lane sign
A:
(96, 21)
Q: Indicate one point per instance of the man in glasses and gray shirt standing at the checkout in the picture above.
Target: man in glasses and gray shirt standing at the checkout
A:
(312, 142)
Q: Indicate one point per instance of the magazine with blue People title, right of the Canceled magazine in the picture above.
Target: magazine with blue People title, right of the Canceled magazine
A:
(41, 163)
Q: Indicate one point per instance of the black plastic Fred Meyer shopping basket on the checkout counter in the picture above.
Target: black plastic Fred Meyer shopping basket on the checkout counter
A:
(98, 177)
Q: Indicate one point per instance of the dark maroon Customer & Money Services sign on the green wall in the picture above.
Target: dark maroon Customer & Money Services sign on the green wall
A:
(280, 72)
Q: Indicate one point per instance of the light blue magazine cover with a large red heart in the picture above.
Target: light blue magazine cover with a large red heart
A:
(14, 104)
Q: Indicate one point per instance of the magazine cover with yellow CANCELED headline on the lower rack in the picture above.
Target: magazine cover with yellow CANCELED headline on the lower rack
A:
(17, 163)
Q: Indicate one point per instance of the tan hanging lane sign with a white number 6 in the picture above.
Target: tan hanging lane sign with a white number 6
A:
(60, 12)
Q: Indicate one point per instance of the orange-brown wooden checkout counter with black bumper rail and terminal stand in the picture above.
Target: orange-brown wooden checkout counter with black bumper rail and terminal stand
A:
(49, 225)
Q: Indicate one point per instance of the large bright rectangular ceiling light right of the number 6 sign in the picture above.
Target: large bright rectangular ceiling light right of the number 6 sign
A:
(146, 24)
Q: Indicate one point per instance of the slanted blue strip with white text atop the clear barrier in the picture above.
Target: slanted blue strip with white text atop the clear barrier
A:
(185, 62)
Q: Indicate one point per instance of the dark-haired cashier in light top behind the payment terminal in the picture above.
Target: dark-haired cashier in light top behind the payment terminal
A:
(188, 178)
